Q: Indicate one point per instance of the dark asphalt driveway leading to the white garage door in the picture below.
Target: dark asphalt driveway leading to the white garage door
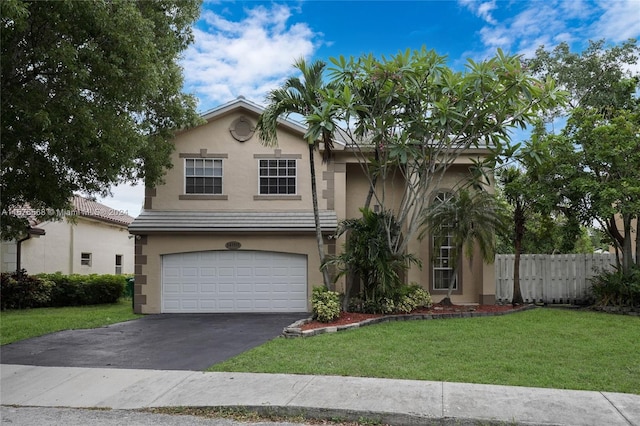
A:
(158, 342)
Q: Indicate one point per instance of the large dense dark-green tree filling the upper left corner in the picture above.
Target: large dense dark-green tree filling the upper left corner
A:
(91, 96)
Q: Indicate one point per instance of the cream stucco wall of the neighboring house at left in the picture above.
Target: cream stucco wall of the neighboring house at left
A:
(61, 247)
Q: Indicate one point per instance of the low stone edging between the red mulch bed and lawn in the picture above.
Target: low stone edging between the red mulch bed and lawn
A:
(295, 330)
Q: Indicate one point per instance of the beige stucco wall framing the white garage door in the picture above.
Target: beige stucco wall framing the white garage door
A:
(151, 248)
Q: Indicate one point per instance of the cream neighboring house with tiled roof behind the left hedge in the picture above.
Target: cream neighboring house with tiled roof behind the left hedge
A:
(91, 239)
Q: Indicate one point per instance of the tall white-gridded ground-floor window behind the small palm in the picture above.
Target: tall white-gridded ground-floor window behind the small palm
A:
(442, 266)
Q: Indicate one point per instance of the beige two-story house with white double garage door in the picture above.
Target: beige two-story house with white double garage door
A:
(231, 229)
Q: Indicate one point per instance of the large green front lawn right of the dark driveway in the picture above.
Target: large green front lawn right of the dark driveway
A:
(541, 348)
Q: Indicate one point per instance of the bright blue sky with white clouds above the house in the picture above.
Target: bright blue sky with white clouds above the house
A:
(247, 47)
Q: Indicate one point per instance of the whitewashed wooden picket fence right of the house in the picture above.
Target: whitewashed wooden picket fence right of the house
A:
(563, 278)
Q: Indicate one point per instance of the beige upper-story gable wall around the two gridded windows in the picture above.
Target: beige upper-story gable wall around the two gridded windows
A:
(240, 169)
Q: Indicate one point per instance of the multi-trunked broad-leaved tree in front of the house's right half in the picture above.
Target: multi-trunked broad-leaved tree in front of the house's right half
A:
(408, 118)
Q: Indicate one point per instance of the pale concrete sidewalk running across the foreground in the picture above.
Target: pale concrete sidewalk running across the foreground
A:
(396, 402)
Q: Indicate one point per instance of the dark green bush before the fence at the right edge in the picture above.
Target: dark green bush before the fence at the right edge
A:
(617, 288)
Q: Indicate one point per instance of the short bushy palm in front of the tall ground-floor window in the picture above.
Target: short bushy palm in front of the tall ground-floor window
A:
(465, 220)
